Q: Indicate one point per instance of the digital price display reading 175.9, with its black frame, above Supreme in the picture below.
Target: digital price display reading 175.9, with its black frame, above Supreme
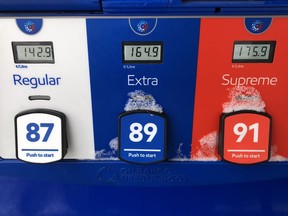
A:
(253, 51)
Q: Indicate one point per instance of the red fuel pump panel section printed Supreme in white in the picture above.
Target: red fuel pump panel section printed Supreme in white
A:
(246, 72)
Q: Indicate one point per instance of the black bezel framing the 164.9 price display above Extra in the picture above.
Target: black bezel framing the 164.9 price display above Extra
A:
(159, 43)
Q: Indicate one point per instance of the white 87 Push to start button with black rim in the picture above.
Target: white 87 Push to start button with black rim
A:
(40, 136)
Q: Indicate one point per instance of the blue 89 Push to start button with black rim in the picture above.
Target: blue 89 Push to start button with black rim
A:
(142, 137)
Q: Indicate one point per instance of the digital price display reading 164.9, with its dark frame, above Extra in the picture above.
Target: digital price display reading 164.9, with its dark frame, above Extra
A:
(142, 52)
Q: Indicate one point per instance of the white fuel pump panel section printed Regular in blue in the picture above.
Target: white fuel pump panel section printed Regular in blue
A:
(44, 70)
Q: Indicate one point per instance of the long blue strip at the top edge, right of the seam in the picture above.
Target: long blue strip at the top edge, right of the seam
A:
(196, 7)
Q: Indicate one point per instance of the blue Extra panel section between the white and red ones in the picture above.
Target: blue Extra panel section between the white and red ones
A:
(174, 90)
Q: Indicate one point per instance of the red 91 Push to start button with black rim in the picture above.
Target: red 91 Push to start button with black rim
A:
(245, 137)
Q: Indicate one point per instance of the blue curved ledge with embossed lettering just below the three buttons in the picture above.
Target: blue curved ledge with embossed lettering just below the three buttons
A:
(165, 174)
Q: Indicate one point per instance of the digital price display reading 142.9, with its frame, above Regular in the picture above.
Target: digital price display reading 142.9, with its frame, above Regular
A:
(33, 52)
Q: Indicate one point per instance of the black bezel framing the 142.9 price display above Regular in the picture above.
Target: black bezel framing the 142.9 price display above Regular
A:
(32, 43)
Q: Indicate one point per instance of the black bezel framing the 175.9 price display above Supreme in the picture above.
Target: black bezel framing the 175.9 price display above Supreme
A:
(270, 56)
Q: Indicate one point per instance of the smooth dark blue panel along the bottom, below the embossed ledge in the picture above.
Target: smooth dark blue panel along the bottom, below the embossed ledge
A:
(21, 197)
